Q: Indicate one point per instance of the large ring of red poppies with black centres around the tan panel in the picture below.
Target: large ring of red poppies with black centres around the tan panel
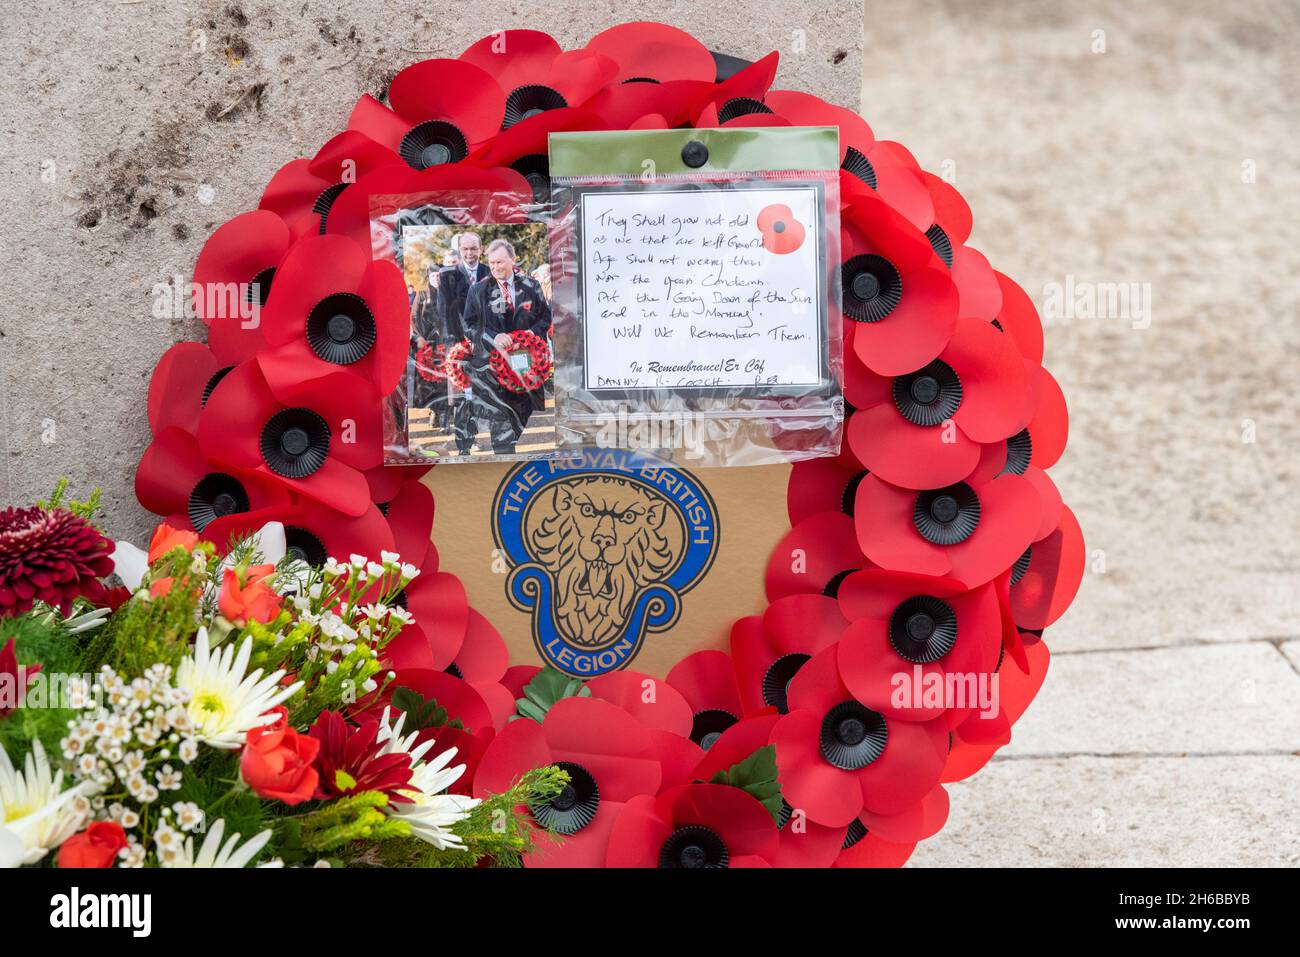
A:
(933, 548)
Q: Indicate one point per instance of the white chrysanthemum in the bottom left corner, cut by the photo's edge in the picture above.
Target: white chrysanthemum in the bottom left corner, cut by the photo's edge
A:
(34, 807)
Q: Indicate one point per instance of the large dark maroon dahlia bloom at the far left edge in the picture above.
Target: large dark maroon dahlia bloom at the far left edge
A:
(50, 557)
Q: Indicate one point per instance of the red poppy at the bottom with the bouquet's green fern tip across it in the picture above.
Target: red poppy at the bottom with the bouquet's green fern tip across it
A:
(610, 759)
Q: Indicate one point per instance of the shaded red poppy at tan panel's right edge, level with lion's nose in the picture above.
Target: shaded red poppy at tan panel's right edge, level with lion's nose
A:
(814, 557)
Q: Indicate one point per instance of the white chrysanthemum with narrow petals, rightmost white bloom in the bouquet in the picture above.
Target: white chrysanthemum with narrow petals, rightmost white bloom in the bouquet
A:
(431, 812)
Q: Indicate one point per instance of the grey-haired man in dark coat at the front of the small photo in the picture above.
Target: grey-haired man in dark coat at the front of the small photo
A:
(505, 302)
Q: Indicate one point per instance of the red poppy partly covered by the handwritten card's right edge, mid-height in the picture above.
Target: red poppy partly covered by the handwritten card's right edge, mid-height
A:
(896, 291)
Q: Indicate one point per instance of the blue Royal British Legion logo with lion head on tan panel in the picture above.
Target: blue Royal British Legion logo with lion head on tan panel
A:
(603, 545)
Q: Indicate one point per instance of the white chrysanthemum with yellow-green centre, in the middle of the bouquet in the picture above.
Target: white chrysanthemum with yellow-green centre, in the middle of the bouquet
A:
(224, 701)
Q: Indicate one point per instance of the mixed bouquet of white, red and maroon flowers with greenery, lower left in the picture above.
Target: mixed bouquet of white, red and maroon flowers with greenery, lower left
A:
(223, 709)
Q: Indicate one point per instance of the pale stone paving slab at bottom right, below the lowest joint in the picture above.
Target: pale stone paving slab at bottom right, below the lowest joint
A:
(1230, 812)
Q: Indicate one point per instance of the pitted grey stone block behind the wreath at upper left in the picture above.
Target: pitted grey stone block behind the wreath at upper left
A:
(149, 142)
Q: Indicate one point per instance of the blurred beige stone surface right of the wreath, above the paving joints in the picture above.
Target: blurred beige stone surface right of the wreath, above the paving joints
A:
(1128, 167)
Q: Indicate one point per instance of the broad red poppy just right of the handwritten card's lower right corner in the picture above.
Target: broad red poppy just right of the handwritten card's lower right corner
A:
(924, 430)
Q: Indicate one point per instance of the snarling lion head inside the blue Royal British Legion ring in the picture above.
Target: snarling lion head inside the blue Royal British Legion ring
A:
(603, 539)
